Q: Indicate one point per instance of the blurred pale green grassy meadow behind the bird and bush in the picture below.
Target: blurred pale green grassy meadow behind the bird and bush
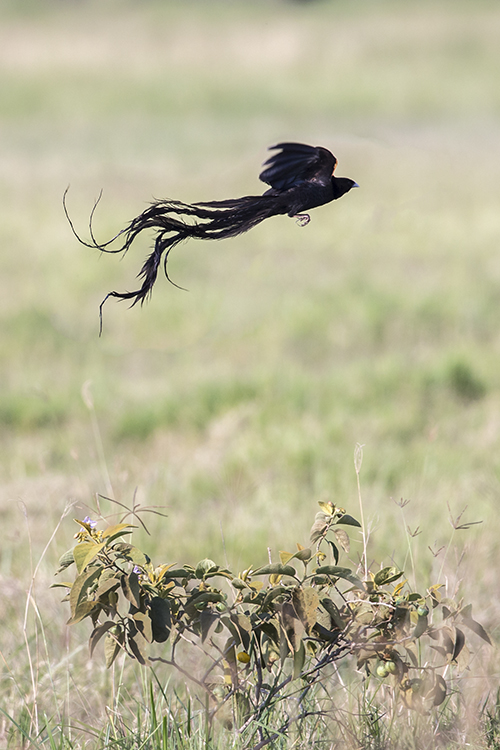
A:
(237, 405)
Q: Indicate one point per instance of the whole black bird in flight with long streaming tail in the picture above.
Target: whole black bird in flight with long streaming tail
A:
(300, 178)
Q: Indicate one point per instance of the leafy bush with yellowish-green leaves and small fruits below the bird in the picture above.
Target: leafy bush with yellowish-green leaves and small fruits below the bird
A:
(267, 636)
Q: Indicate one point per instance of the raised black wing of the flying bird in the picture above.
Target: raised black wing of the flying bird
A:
(296, 163)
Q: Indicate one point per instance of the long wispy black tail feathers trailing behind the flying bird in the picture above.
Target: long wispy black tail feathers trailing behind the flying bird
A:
(170, 223)
